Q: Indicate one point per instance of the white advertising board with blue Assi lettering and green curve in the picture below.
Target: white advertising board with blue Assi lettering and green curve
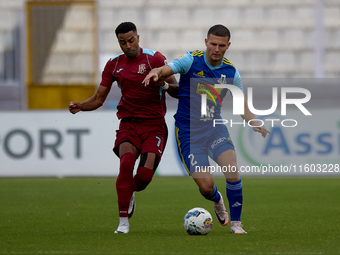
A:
(298, 145)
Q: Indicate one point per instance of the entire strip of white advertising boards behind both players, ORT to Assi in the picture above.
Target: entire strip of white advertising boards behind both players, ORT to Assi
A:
(57, 143)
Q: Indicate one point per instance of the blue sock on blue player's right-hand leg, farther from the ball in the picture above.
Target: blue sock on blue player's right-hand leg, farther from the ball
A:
(235, 198)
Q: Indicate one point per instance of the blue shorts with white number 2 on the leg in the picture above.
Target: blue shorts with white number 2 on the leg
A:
(194, 148)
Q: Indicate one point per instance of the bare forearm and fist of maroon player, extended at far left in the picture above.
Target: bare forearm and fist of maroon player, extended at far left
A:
(91, 103)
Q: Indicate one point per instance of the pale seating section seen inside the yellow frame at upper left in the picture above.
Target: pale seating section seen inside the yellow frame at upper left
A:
(71, 61)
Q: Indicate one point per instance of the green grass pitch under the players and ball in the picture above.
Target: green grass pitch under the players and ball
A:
(79, 216)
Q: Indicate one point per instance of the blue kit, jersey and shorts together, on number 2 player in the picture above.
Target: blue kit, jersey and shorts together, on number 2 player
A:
(196, 136)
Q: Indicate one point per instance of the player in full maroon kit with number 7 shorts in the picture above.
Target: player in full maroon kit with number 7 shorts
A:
(142, 130)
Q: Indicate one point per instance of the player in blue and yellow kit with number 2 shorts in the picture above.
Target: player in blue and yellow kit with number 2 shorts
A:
(197, 137)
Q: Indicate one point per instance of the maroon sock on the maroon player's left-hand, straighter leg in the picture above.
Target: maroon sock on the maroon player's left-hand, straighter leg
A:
(124, 183)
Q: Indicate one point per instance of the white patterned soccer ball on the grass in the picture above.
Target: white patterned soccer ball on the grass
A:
(197, 221)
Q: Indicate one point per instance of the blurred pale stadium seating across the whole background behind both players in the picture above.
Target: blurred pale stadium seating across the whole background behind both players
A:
(269, 38)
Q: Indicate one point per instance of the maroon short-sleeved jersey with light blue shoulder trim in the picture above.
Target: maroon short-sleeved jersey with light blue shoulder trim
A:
(137, 100)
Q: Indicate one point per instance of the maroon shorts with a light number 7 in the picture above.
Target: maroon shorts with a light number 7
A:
(147, 135)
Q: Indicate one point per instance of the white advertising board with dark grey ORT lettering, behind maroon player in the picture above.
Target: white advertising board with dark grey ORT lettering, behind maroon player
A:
(57, 143)
